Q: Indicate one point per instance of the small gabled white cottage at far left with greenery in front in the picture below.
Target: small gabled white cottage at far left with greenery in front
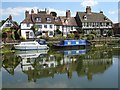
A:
(9, 29)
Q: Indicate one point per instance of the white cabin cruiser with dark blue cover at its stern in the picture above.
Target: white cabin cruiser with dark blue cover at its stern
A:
(32, 45)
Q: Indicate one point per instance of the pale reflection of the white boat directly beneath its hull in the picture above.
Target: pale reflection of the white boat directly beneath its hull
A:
(31, 54)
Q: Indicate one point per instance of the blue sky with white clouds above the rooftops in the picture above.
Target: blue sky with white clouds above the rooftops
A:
(17, 9)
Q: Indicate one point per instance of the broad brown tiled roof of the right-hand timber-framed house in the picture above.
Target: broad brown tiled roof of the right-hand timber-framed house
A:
(93, 17)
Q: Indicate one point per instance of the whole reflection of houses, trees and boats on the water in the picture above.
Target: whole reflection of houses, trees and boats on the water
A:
(42, 64)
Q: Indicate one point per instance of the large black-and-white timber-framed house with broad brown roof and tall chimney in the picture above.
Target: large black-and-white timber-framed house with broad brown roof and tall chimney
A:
(92, 21)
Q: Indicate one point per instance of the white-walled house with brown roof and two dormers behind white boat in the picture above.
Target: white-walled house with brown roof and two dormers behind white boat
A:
(42, 21)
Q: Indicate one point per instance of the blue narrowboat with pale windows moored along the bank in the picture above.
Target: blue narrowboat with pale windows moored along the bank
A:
(72, 43)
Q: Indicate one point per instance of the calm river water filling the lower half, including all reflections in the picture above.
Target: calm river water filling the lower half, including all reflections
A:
(61, 69)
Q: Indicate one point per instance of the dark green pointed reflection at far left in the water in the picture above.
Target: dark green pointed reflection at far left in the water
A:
(10, 62)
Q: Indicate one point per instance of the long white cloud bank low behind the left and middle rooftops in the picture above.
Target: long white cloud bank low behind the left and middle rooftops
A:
(17, 11)
